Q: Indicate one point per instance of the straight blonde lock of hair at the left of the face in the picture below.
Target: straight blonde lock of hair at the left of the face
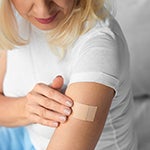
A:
(9, 36)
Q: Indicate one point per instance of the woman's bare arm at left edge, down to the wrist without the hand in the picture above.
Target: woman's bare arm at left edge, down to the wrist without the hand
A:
(11, 109)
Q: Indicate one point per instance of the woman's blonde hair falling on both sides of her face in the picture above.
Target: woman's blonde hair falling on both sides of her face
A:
(82, 18)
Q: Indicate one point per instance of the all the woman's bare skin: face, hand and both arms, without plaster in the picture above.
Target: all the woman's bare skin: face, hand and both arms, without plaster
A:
(77, 134)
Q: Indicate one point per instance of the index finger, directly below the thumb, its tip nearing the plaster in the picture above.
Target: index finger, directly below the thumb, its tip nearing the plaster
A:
(53, 94)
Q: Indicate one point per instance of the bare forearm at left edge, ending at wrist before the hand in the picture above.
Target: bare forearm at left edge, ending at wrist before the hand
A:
(12, 111)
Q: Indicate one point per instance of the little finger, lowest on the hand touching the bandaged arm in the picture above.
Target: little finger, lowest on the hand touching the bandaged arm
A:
(46, 122)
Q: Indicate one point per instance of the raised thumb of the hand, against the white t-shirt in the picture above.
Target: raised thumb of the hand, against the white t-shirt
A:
(57, 82)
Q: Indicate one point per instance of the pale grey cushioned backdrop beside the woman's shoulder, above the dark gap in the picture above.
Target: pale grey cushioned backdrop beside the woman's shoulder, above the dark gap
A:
(134, 17)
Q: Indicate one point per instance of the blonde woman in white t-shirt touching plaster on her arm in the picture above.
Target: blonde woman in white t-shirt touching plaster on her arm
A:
(60, 55)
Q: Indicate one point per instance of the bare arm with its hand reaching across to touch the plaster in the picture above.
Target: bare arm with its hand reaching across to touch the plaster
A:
(43, 105)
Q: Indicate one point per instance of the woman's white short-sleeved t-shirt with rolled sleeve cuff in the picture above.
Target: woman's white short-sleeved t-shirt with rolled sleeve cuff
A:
(100, 55)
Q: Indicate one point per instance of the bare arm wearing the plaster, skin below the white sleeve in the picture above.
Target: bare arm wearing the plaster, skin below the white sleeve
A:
(77, 134)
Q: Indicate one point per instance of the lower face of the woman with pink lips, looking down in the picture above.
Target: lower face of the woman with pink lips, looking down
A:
(44, 14)
